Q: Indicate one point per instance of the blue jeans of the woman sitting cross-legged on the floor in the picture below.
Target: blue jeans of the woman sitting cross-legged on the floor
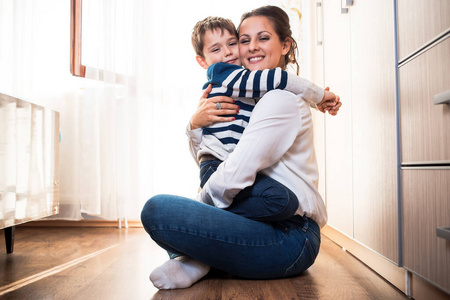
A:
(230, 242)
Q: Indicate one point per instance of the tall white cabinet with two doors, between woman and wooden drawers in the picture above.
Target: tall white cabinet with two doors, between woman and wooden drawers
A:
(361, 151)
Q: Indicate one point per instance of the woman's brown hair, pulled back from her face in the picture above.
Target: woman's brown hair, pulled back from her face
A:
(280, 22)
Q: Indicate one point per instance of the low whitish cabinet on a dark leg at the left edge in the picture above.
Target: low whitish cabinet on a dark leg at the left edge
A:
(29, 153)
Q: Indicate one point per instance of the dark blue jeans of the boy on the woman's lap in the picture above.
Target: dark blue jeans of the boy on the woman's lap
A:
(265, 200)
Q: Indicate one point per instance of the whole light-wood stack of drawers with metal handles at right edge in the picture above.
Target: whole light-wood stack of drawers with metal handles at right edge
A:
(424, 47)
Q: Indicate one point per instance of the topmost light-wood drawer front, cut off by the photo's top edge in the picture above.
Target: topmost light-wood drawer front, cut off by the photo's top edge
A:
(419, 22)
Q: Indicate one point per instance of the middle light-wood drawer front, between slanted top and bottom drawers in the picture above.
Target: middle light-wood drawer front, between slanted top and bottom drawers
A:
(425, 127)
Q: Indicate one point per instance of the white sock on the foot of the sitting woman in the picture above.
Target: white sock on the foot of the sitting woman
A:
(178, 273)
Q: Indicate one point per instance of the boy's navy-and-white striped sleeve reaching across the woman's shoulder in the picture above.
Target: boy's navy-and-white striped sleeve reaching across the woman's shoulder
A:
(234, 81)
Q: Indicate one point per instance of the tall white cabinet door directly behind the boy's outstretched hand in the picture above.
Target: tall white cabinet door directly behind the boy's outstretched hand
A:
(338, 129)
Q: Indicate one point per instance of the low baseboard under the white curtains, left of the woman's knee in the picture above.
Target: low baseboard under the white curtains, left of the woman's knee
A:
(84, 223)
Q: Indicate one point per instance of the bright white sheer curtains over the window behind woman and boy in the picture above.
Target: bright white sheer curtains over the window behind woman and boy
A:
(123, 126)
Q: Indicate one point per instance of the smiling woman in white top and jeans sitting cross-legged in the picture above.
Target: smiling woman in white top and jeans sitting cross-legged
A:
(279, 142)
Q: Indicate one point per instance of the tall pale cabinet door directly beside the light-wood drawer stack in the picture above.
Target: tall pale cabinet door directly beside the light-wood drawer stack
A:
(374, 126)
